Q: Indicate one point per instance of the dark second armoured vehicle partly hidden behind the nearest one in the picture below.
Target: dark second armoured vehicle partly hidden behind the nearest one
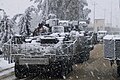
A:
(87, 44)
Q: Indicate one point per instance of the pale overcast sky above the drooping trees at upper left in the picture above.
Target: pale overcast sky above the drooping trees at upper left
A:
(13, 7)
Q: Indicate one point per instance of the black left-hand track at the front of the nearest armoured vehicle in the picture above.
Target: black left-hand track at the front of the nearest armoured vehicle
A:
(20, 71)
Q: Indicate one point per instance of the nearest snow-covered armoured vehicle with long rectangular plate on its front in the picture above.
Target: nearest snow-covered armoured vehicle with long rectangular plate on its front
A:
(43, 54)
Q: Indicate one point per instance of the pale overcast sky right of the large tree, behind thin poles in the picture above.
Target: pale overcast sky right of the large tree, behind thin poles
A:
(105, 6)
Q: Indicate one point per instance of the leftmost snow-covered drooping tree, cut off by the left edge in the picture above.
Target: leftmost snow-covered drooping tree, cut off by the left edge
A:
(5, 28)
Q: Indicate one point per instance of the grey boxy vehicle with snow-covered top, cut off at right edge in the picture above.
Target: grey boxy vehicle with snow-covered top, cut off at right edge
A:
(112, 50)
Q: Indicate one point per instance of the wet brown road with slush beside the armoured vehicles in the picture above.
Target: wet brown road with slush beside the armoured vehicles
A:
(95, 69)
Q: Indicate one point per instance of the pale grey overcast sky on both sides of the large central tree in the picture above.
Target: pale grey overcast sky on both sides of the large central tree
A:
(13, 7)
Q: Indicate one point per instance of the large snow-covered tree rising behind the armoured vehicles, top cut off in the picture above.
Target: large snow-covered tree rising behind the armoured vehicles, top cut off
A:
(64, 9)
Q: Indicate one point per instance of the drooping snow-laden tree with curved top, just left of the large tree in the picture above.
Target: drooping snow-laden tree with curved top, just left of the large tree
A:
(25, 21)
